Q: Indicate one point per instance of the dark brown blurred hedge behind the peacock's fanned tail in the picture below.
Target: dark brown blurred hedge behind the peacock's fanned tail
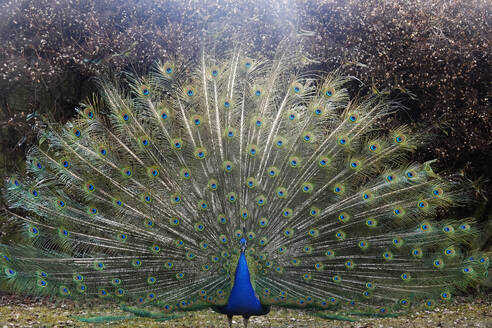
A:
(433, 55)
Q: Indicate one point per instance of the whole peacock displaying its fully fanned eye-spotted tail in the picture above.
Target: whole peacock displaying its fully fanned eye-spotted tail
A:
(237, 184)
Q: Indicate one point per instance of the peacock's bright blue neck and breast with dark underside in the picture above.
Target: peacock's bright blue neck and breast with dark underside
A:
(242, 300)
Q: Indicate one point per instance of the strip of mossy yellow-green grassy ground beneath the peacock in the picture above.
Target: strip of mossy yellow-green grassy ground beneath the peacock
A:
(475, 312)
